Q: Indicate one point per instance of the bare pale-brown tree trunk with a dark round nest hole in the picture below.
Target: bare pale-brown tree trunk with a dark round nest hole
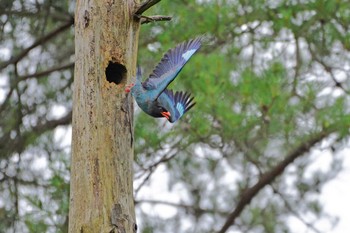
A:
(101, 191)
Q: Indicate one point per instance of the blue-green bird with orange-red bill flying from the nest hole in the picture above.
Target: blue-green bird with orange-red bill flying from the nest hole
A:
(152, 95)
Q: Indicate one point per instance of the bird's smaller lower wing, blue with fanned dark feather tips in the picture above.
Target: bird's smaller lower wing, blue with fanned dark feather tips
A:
(176, 105)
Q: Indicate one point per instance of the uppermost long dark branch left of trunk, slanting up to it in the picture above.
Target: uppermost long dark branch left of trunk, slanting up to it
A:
(38, 42)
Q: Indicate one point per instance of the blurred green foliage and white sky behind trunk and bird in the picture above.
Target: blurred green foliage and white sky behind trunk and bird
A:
(271, 83)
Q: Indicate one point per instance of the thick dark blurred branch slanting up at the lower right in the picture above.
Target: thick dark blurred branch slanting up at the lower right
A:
(270, 176)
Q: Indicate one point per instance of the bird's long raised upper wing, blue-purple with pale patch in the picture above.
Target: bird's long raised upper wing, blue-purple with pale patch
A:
(171, 64)
